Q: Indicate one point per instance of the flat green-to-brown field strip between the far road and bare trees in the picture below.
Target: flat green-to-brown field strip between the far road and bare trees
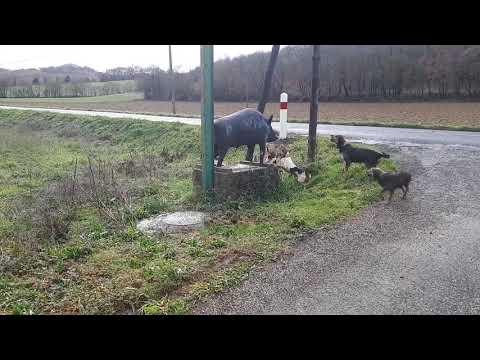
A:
(429, 114)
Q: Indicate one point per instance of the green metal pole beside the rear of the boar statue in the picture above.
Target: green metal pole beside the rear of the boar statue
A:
(206, 56)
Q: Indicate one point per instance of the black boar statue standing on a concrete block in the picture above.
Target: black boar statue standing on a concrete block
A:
(245, 127)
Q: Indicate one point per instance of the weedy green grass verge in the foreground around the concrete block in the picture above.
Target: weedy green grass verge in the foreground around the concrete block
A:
(72, 189)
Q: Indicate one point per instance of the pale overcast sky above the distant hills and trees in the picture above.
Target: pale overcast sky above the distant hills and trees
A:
(103, 57)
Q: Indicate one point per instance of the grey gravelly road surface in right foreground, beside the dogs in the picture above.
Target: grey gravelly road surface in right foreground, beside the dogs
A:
(417, 256)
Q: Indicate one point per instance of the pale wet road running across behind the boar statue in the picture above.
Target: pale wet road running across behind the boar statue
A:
(364, 133)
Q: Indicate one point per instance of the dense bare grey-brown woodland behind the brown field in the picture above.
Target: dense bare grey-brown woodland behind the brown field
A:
(347, 73)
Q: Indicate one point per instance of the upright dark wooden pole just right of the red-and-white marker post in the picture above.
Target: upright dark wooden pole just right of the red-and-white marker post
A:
(312, 128)
